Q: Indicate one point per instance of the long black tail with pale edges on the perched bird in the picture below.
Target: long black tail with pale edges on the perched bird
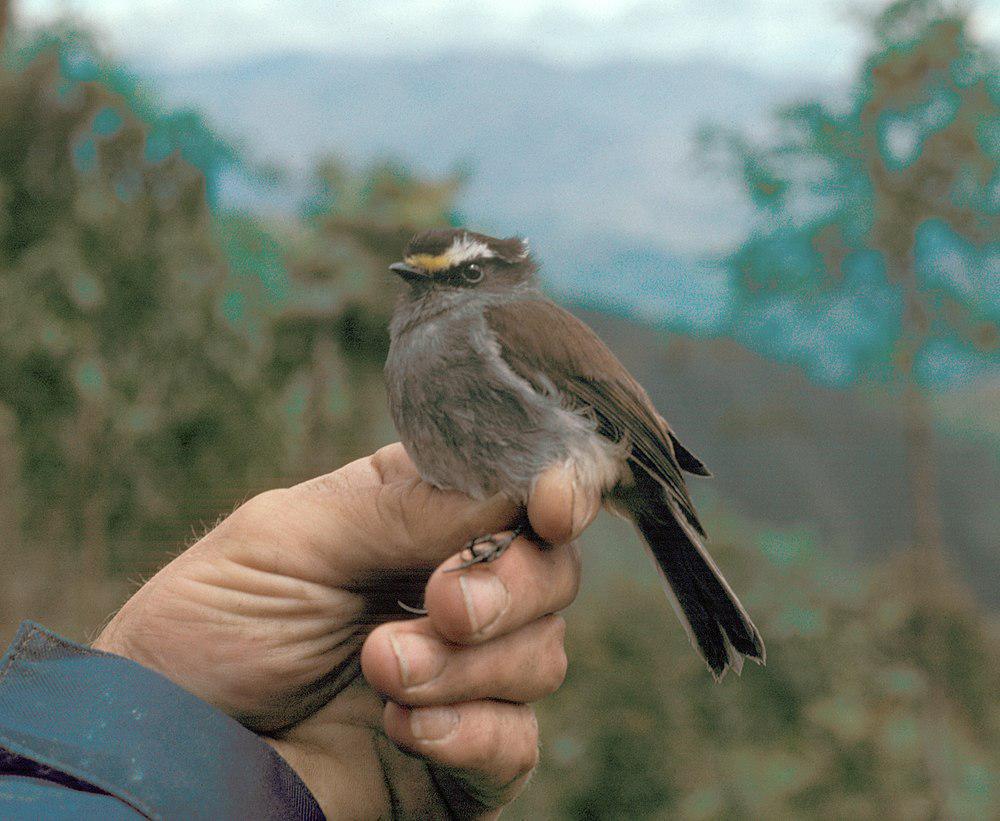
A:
(716, 622)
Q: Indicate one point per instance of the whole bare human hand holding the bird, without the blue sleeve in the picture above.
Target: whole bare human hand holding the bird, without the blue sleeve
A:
(272, 616)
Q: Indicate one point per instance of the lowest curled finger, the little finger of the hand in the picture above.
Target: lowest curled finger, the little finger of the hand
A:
(489, 746)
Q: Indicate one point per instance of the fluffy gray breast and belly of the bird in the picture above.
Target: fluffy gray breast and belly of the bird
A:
(467, 422)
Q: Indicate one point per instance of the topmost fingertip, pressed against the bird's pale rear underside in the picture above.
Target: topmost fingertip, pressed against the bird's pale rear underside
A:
(560, 506)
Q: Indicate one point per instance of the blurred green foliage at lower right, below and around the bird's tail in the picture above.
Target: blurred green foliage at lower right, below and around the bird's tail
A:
(845, 721)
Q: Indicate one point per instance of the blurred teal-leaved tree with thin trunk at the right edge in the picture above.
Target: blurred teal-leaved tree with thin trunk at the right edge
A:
(878, 247)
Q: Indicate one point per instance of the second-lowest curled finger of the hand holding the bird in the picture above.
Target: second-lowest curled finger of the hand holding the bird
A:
(410, 664)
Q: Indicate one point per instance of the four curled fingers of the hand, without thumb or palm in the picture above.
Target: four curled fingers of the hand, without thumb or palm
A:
(457, 681)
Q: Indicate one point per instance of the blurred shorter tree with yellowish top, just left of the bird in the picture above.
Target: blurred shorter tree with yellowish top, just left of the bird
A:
(331, 336)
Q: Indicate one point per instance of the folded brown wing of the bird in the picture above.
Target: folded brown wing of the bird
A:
(543, 343)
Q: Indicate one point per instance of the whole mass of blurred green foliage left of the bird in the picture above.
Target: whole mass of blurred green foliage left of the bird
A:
(160, 362)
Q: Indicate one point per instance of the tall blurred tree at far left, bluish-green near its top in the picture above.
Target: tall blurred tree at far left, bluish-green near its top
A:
(134, 401)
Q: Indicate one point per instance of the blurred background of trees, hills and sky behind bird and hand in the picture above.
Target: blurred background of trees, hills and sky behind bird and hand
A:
(784, 218)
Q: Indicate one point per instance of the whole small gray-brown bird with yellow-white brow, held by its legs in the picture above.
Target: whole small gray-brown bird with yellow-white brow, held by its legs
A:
(490, 383)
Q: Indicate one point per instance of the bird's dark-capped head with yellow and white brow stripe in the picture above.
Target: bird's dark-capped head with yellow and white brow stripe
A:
(454, 258)
